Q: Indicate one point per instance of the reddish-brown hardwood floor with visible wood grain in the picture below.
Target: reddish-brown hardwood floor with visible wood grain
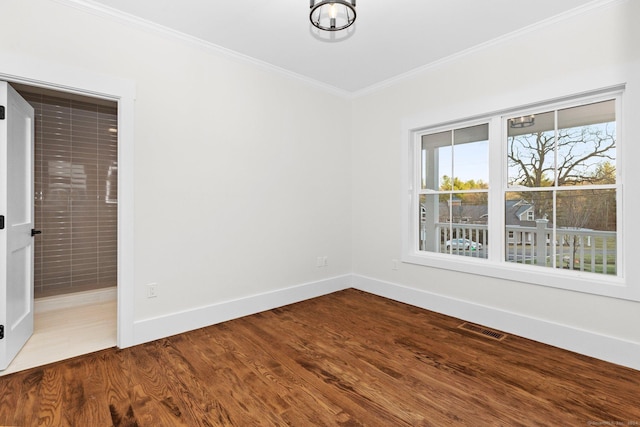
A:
(348, 358)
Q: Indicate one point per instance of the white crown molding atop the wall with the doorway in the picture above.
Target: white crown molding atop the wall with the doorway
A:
(95, 8)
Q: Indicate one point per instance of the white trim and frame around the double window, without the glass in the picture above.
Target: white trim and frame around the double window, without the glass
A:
(494, 265)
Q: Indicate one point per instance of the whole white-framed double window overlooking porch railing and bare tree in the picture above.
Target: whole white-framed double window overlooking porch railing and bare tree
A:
(521, 194)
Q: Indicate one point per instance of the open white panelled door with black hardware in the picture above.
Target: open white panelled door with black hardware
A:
(16, 223)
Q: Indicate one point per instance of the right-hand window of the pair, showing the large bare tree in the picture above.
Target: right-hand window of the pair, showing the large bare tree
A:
(563, 167)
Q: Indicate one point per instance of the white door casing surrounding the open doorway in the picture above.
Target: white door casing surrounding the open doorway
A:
(33, 72)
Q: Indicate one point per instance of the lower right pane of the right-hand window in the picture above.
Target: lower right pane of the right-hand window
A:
(586, 230)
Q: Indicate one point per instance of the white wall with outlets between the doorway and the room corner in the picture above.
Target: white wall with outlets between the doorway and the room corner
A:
(237, 188)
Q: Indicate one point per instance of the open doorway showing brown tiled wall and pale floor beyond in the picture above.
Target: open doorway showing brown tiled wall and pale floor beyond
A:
(75, 206)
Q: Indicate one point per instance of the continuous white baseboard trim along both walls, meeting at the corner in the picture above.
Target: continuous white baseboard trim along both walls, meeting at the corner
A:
(603, 347)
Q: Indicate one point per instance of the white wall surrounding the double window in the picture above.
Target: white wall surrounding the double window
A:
(584, 53)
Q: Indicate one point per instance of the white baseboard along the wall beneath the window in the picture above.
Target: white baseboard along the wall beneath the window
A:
(610, 349)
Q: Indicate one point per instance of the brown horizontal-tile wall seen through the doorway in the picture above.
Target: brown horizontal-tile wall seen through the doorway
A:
(75, 195)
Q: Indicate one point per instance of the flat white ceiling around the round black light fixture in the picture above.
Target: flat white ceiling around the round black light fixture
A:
(391, 38)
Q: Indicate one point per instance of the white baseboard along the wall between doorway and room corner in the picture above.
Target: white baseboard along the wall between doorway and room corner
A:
(179, 322)
